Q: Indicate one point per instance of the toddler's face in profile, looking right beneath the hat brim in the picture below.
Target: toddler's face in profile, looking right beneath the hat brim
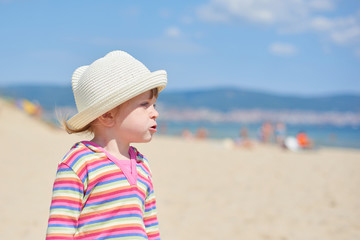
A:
(136, 119)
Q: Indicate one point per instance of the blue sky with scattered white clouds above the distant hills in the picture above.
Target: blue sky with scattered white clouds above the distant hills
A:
(303, 47)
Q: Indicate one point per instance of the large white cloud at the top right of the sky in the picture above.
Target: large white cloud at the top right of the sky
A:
(287, 16)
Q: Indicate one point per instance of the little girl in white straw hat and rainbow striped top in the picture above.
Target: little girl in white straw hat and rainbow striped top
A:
(103, 187)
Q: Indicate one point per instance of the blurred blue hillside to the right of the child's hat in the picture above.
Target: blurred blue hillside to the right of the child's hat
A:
(228, 99)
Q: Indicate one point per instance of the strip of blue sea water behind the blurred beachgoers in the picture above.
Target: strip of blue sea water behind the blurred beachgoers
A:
(322, 135)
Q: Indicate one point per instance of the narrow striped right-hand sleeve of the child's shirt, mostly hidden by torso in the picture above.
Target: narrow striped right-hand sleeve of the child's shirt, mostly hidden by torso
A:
(150, 216)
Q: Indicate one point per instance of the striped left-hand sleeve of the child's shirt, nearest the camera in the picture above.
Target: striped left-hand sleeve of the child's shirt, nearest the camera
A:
(65, 205)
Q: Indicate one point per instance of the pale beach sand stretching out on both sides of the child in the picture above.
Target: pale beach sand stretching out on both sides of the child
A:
(204, 189)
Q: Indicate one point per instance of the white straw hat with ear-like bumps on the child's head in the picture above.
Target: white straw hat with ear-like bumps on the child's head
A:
(108, 82)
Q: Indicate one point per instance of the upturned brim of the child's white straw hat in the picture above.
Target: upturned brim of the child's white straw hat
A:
(157, 79)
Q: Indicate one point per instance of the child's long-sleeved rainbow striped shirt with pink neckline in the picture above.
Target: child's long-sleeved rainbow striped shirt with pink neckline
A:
(93, 198)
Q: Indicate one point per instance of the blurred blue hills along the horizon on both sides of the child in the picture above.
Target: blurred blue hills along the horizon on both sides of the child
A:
(223, 100)
